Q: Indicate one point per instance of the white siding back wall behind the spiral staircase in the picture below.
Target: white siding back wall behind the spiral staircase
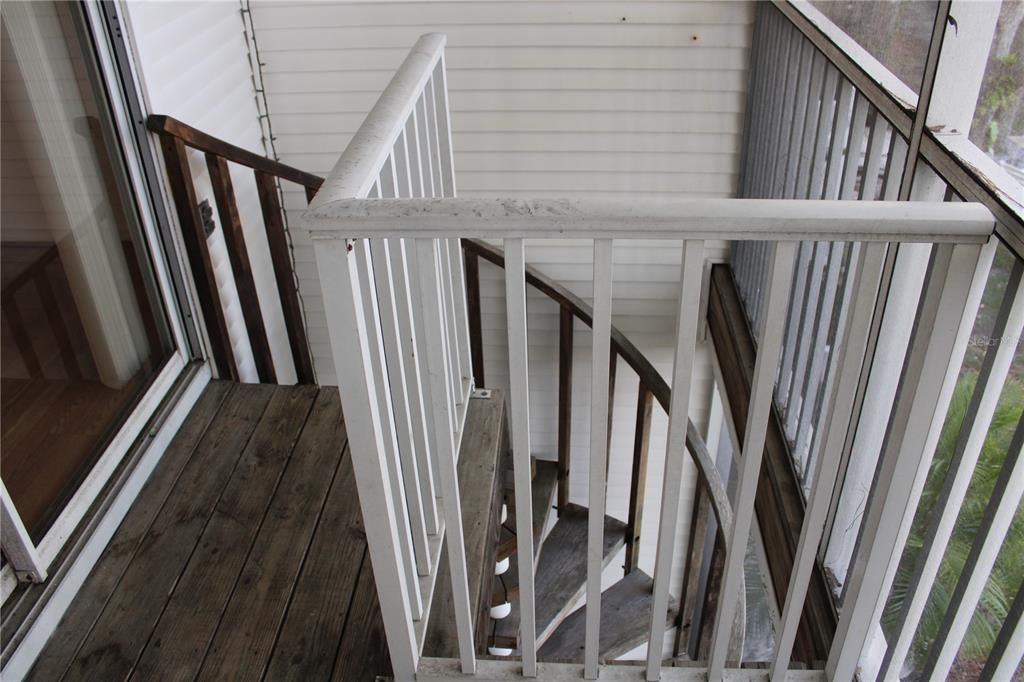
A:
(548, 99)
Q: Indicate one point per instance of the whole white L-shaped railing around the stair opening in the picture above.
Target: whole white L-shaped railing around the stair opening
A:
(386, 228)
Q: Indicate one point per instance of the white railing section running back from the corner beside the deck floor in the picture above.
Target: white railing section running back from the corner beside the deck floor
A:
(402, 354)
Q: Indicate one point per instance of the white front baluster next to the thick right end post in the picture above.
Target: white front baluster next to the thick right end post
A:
(838, 434)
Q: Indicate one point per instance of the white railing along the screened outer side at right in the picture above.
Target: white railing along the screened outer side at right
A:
(823, 131)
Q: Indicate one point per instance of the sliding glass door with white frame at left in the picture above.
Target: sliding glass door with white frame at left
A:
(89, 323)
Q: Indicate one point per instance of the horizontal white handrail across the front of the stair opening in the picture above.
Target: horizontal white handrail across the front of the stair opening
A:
(653, 219)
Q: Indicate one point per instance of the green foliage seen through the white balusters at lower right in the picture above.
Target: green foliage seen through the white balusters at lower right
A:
(1008, 575)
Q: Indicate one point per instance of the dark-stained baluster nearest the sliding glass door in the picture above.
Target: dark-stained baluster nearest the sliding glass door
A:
(184, 194)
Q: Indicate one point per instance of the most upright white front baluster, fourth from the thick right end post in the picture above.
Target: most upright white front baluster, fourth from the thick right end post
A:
(599, 450)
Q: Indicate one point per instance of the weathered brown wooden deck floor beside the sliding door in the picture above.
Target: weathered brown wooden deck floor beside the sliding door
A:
(244, 558)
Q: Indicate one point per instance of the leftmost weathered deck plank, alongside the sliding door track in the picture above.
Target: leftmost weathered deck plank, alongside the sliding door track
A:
(92, 600)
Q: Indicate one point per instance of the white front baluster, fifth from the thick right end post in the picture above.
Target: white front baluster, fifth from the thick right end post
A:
(516, 302)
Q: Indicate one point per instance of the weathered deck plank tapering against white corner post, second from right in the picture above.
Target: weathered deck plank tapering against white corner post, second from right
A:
(312, 632)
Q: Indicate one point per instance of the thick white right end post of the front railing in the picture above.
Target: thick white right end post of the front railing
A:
(949, 307)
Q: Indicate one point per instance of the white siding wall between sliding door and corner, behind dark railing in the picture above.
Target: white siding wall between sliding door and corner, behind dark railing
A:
(193, 60)
